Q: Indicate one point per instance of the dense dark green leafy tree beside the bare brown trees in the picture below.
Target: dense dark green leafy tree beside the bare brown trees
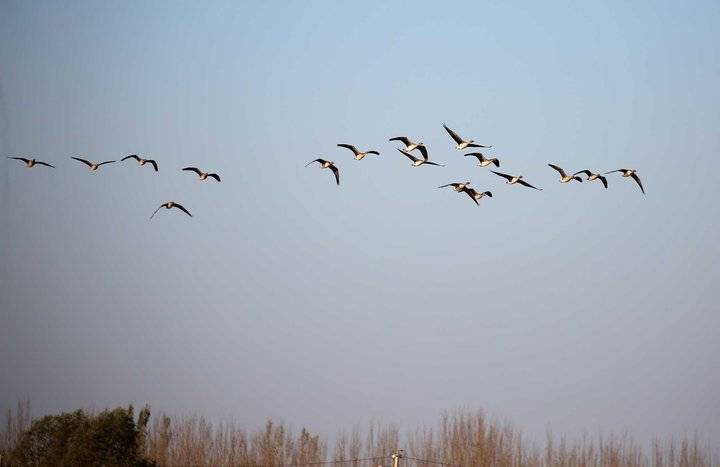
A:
(110, 438)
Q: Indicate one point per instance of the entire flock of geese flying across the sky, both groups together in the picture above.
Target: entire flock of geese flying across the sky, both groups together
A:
(410, 146)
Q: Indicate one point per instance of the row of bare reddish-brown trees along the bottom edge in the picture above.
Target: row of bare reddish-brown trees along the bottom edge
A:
(462, 439)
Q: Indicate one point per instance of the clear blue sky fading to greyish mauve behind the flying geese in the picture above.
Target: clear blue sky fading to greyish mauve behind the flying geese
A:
(575, 308)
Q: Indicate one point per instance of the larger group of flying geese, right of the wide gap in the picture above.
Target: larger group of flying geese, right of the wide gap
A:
(483, 161)
